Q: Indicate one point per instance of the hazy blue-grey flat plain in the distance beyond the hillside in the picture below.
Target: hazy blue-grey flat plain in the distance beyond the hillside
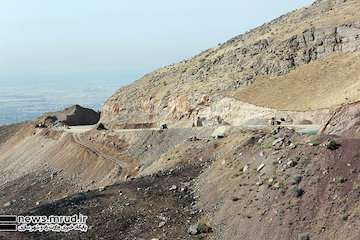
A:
(22, 101)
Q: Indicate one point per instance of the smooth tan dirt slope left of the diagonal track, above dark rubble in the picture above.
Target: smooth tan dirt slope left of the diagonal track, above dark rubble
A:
(32, 150)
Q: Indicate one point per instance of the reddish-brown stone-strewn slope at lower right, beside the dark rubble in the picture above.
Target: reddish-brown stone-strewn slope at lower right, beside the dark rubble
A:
(263, 189)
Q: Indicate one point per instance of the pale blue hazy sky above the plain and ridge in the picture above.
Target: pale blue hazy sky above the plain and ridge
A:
(104, 39)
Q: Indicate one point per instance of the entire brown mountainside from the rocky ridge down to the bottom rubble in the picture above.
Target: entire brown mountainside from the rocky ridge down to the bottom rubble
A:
(261, 182)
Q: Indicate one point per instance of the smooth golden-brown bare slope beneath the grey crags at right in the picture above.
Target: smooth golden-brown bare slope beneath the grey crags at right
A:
(320, 84)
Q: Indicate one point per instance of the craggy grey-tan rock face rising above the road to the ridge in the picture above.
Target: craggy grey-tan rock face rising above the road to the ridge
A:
(179, 92)
